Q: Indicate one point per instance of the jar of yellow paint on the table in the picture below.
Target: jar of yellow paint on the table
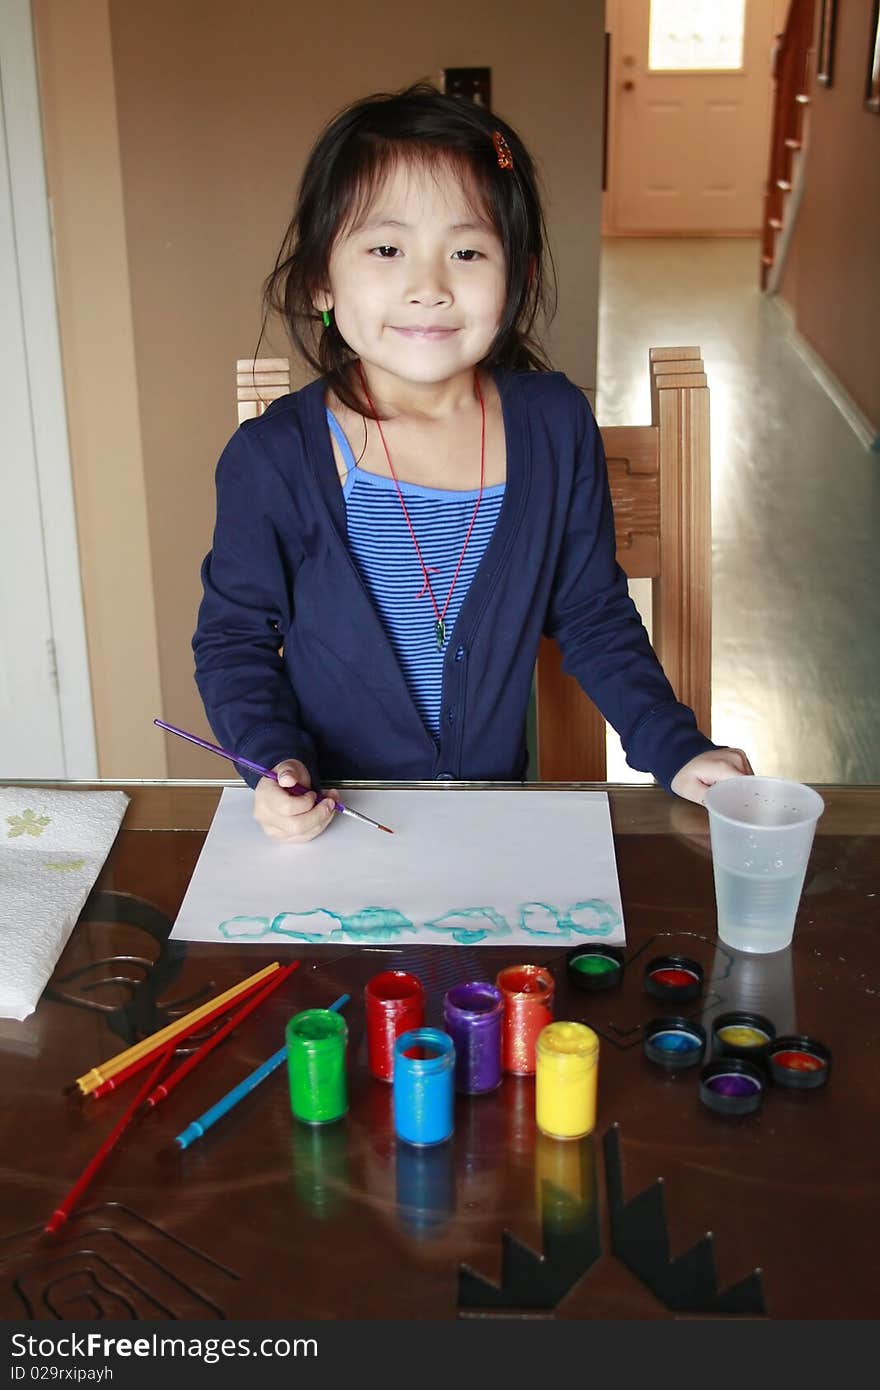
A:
(568, 1070)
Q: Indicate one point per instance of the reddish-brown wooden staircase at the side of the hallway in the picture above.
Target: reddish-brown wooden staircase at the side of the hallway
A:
(792, 73)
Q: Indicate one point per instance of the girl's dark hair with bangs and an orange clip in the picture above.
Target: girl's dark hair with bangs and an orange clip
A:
(351, 158)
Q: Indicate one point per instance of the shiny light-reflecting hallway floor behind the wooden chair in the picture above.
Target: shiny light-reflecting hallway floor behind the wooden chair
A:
(796, 508)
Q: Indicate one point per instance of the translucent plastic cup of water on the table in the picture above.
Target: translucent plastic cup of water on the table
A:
(763, 833)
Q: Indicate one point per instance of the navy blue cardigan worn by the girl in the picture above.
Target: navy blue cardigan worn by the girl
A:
(280, 576)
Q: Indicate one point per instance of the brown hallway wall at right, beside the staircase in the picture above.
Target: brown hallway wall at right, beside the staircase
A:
(833, 276)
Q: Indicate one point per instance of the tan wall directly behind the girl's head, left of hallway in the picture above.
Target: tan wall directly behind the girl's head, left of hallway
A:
(218, 105)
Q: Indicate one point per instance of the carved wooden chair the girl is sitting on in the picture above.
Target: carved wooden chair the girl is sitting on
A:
(660, 482)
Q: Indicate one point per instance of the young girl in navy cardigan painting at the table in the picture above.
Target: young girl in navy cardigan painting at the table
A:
(393, 540)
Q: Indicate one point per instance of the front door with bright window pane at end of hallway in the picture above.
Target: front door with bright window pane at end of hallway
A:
(690, 111)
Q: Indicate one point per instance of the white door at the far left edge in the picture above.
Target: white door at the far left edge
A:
(45, 697)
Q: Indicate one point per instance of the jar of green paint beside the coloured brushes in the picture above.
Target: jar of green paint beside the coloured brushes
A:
(316, 1045)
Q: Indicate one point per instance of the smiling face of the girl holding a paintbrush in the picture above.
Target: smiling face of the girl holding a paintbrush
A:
(419, 286)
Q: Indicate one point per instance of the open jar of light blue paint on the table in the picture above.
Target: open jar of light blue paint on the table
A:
(423, 1086)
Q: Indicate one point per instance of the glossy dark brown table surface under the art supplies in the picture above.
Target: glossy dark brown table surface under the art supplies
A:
(269, 1218)
